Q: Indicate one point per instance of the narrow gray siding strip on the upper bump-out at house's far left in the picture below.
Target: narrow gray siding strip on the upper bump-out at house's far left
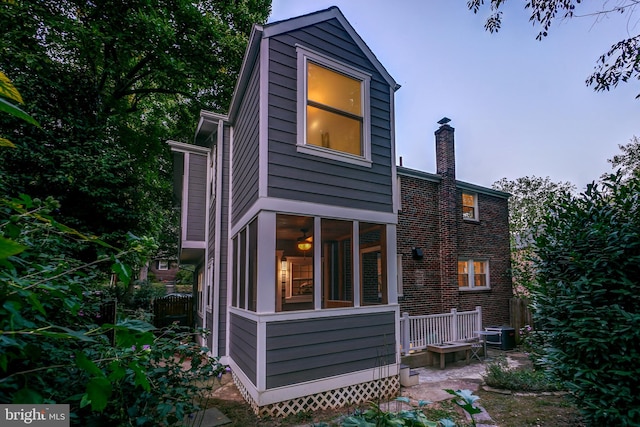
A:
(196, 197)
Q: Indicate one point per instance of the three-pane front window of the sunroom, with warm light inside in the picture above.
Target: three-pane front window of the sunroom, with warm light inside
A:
(319, 258)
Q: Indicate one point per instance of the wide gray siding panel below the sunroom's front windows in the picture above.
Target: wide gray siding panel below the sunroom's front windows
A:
(310, 349)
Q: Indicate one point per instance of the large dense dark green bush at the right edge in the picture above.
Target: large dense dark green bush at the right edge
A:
(588, 301)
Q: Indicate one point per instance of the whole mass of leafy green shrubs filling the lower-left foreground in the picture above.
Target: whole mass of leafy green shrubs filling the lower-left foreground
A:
(54, 346)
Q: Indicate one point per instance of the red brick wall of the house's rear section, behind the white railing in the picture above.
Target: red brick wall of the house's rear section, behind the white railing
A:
(419, 225)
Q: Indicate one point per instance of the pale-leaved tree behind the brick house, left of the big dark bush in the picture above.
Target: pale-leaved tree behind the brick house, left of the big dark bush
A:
(531, 198)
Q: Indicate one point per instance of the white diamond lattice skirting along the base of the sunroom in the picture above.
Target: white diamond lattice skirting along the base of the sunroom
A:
(377, 390)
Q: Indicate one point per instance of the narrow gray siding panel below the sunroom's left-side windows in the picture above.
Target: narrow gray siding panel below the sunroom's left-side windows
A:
(243, 345)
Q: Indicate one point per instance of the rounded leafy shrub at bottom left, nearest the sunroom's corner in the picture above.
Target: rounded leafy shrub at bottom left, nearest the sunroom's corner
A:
(159, 383)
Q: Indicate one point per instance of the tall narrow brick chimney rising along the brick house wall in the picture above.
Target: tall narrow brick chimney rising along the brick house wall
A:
(448, 215)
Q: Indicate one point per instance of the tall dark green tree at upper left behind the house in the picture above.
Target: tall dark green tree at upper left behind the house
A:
(109, 82)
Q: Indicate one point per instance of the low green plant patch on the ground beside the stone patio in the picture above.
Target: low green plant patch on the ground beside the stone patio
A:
(499, 375)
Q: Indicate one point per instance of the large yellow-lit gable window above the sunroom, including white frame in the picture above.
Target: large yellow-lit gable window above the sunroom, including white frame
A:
(333, 109)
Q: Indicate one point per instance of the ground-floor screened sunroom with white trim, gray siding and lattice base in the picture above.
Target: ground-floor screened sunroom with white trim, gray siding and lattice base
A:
(309, 315)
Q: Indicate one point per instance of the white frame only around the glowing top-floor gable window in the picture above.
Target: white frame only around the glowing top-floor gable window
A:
(304, 55)
